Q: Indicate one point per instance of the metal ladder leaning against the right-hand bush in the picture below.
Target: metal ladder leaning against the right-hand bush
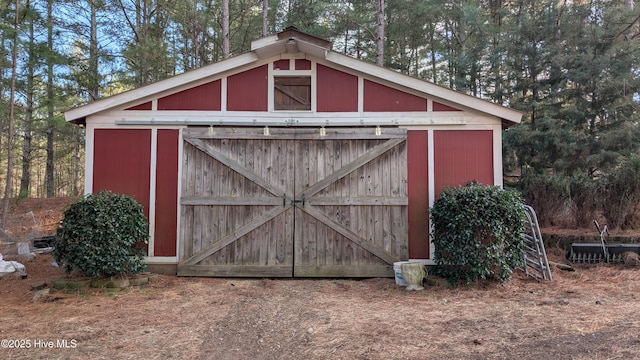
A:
(536, 263)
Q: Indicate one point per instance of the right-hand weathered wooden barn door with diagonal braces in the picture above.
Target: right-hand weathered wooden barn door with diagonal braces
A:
(351, 204)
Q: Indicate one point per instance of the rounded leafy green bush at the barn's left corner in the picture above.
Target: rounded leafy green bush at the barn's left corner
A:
(102, 234)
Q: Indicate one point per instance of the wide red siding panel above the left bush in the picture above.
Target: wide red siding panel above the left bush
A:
(121, 163)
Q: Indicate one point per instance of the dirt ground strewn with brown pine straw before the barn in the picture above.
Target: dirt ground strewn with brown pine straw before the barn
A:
(591, 313)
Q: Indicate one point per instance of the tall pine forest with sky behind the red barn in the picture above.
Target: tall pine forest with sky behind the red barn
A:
(571, 66)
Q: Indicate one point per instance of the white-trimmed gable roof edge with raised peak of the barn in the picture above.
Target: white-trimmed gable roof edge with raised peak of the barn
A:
(291, 41)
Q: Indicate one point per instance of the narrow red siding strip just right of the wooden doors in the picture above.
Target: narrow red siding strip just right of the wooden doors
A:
(418, 178)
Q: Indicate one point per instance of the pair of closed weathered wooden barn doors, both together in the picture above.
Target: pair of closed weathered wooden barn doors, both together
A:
(293, 203)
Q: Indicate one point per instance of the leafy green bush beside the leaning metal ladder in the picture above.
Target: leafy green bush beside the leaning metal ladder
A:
(477, 233)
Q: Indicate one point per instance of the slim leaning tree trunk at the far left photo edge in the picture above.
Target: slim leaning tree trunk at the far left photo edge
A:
(14, 75)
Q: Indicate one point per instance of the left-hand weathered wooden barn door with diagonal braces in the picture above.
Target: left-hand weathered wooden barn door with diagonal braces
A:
(236, 219)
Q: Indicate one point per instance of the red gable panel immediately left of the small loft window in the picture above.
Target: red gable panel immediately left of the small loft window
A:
(248, 91)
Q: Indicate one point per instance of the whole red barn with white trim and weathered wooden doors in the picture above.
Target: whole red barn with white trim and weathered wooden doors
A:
(289, 160)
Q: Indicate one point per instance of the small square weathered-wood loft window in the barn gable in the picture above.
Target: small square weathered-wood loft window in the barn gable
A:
(292, 93)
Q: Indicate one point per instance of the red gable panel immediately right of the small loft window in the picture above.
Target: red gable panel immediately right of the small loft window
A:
(337, 90)
